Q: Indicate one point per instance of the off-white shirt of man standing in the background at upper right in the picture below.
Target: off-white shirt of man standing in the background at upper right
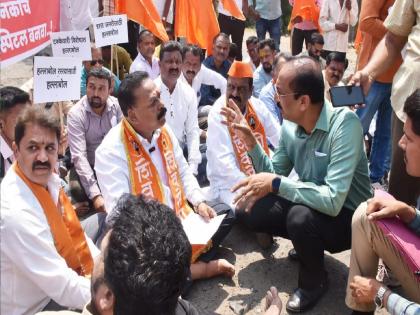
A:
(331, 14)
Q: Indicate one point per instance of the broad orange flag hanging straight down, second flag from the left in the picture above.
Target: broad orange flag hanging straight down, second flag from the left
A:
(197, 22)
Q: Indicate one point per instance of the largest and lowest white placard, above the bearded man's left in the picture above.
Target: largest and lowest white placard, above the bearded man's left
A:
(56, 79)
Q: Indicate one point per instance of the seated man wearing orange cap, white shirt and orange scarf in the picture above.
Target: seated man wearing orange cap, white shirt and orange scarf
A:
(227, 160)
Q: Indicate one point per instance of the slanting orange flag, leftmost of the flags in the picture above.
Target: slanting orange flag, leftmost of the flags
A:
(145, 13)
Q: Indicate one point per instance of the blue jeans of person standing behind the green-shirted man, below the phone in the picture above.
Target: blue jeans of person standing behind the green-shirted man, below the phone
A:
(378, 99)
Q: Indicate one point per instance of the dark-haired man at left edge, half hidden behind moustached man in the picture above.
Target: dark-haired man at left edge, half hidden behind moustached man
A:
(12, 101)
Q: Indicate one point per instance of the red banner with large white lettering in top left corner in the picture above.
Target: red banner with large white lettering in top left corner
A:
(25, 27)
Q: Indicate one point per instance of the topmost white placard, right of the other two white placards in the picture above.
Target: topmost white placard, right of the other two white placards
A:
(110, 30)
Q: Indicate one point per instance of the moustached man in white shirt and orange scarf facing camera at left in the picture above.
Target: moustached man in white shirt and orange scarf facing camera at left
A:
(46, 258)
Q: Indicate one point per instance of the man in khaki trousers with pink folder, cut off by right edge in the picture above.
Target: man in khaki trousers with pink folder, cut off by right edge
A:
(371, 242)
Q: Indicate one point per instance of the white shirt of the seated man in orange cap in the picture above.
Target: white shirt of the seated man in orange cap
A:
(223, 169)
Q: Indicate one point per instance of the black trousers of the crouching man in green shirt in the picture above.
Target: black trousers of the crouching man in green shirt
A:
(310, 231)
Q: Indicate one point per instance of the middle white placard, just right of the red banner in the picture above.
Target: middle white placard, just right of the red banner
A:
(74, 44)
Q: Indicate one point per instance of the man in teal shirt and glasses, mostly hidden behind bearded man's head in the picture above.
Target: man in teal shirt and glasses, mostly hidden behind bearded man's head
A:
(97, 62)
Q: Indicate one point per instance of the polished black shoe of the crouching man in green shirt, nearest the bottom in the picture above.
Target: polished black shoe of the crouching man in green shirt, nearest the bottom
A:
(302, 299)
